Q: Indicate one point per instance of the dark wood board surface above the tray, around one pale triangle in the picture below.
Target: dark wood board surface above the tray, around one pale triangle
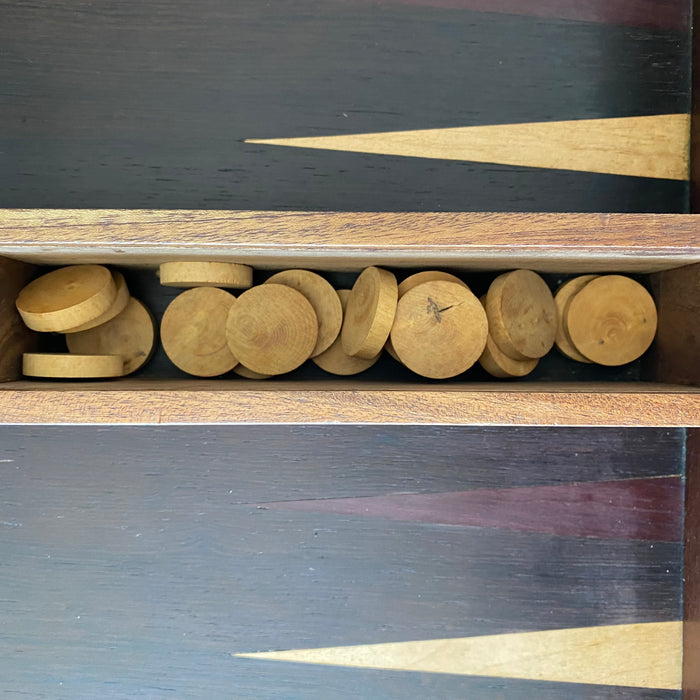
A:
(149, 104)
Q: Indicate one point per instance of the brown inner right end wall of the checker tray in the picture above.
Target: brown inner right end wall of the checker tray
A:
(677, 345)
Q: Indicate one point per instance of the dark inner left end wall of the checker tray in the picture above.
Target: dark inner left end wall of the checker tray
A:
(15, 337)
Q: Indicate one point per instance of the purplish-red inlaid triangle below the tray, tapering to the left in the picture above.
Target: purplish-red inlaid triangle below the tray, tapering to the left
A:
(636, 509)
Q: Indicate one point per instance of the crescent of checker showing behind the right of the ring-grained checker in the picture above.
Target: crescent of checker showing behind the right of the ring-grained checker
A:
(322, 297)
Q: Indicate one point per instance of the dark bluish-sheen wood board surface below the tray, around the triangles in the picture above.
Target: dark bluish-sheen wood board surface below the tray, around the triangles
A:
(136, 561)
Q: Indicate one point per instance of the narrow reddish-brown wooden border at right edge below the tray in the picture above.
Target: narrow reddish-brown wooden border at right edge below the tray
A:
(691, 576)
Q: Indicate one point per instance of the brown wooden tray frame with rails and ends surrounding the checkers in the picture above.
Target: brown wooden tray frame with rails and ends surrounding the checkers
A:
(665, 246)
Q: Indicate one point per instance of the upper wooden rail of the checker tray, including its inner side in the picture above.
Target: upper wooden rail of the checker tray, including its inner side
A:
(351, 240)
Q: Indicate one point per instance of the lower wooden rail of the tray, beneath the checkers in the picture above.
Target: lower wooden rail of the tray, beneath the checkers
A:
(169, 402)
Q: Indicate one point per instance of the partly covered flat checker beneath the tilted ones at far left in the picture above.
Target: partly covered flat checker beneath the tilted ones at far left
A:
(130, 334)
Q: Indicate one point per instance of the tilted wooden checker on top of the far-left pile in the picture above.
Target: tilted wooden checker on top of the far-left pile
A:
(67, 297)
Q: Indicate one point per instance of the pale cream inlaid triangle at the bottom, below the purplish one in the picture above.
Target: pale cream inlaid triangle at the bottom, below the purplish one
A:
(646, 655)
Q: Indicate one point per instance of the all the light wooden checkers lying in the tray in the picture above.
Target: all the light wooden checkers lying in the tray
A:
(431, 322)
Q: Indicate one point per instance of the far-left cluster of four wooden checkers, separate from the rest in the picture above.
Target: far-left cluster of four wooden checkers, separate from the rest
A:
(108, 332)
